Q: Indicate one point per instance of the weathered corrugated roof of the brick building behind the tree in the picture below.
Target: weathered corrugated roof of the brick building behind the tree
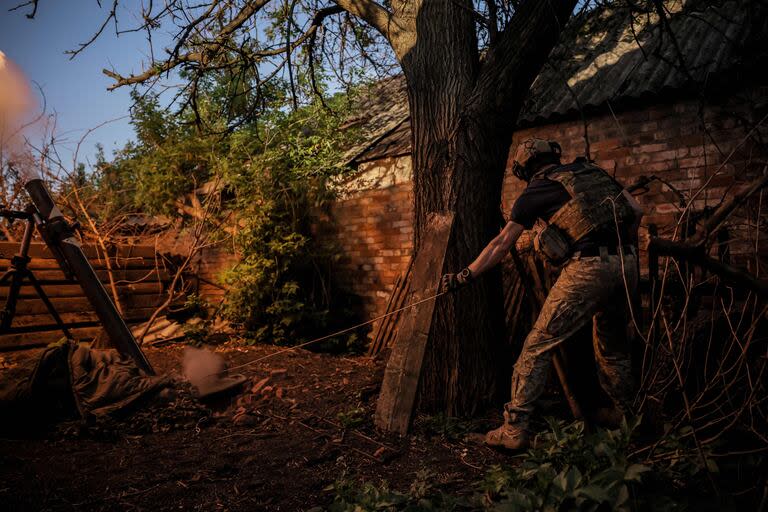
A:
(609, 55)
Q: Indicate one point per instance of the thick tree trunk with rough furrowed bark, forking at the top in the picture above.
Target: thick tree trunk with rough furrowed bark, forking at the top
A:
(462, 120)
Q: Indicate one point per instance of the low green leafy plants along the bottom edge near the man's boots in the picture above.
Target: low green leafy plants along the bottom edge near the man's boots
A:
(567, 469)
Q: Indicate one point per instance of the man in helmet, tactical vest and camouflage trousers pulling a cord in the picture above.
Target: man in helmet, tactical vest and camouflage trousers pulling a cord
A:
(591, 226)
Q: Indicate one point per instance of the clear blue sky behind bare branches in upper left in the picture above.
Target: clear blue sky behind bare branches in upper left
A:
(76, 89)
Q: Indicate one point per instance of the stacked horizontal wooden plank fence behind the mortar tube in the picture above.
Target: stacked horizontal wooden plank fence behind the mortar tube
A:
(140, 281)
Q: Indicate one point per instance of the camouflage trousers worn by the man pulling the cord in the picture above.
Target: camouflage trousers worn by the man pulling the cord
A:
(588, 289)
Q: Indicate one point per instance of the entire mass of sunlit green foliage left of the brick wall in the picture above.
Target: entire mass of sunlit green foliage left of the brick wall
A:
(278, 172)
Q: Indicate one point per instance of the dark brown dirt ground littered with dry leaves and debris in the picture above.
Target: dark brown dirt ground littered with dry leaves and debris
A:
(303, 421)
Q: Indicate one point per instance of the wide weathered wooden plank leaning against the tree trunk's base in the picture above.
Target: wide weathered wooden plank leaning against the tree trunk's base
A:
(401, 377)
